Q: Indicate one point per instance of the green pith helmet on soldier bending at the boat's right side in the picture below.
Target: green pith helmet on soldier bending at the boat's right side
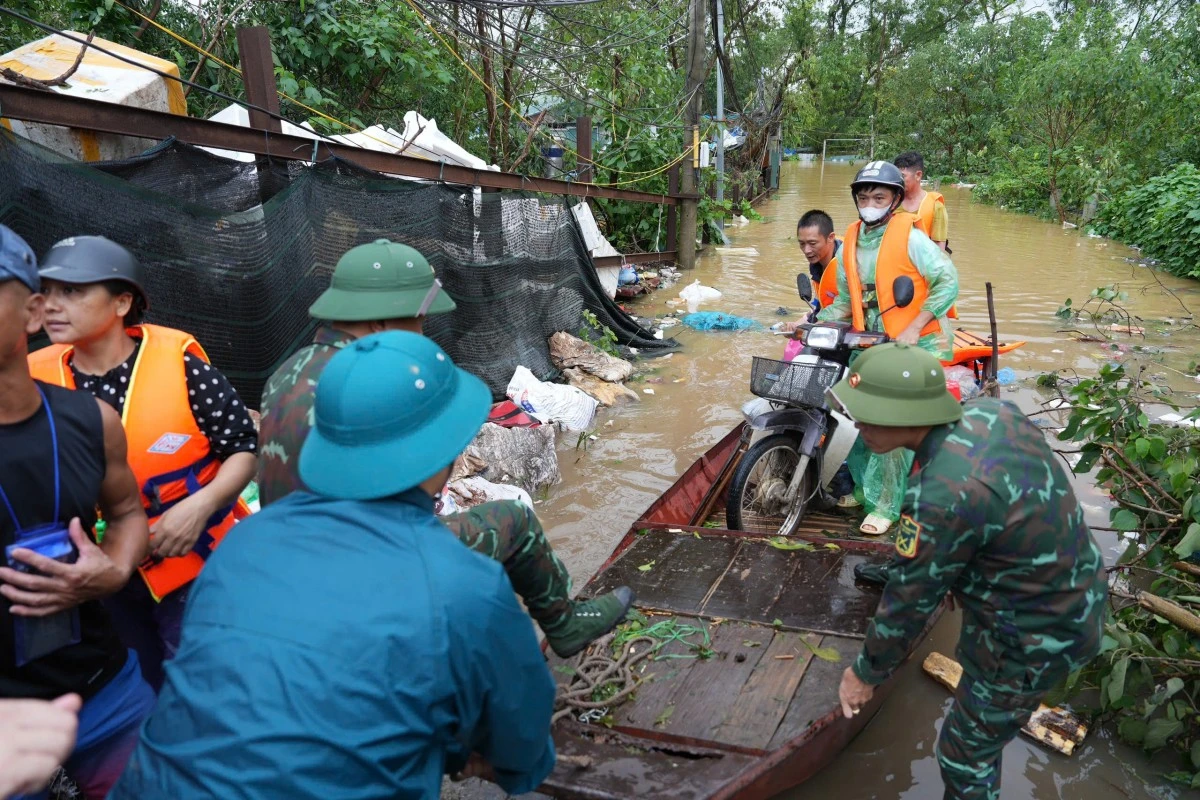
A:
(897, 386)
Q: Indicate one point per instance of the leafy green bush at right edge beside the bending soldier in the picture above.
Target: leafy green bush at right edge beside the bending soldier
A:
(1149, 671)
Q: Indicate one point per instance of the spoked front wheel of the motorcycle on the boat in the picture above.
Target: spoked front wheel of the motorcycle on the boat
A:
(759, 489)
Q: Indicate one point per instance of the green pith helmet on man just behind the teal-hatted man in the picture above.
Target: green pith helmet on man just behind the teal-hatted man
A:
(383, 280)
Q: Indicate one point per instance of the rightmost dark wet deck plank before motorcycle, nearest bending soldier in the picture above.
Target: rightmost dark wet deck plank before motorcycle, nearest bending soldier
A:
(823, 596)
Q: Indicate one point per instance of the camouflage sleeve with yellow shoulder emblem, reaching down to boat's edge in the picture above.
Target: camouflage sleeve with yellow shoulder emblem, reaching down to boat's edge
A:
(933, 548)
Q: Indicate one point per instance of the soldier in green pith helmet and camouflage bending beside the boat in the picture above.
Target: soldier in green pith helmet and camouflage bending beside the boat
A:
(991, 516)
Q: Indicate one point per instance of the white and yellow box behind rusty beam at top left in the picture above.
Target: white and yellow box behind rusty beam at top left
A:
(100, 77)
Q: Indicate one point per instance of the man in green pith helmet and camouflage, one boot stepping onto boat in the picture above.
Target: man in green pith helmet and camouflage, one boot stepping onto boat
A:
(386, 286)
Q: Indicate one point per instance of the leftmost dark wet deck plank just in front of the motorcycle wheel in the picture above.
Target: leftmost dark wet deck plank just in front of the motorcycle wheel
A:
(682, 570)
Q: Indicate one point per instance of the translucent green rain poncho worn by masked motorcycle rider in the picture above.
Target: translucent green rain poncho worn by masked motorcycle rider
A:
(881, 480)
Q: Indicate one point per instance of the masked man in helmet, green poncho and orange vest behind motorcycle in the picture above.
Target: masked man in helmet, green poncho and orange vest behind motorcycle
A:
(880, 248)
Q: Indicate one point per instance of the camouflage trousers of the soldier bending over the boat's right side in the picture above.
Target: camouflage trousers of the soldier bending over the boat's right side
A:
(985, 718)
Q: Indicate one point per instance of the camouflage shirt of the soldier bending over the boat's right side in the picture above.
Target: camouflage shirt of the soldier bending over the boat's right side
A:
(991, 515)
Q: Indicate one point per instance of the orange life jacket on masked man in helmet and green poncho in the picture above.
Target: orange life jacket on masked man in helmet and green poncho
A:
(892, 263)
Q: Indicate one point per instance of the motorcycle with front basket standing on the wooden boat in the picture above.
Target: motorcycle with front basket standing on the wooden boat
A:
(799, 441)
